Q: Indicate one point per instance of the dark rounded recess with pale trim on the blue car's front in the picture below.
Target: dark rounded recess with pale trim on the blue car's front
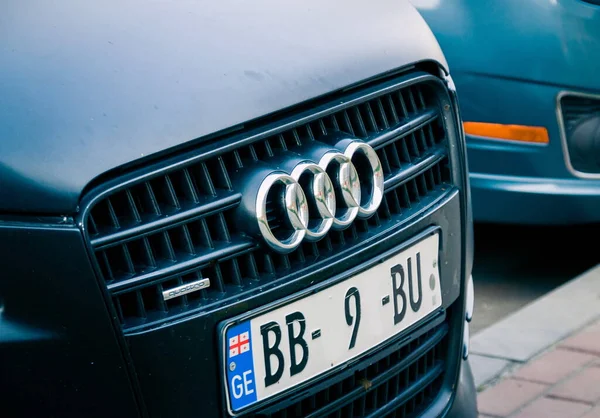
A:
(581, 121)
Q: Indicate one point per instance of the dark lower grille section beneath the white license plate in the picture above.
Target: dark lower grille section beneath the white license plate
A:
(400, 383)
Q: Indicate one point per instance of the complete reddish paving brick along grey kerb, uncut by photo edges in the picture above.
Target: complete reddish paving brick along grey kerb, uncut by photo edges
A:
(554, 366)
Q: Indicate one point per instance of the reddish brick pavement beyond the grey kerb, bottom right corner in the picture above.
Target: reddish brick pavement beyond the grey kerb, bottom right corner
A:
(563, 382)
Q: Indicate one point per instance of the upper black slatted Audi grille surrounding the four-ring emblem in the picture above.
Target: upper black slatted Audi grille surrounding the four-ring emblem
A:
(174, 224)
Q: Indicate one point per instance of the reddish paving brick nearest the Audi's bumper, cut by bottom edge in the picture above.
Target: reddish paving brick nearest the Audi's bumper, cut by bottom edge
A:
(508, 396)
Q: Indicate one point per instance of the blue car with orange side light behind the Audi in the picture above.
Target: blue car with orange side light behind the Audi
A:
(528, 77)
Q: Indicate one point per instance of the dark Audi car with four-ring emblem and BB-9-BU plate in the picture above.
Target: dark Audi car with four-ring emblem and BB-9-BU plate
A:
(231, 209)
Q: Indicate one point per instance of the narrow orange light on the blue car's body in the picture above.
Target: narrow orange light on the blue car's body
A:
(535, 134)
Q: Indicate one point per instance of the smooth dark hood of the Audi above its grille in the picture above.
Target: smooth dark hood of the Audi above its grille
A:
(86, 87)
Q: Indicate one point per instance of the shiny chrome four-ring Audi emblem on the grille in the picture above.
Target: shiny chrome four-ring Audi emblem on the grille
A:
(316, 196)
